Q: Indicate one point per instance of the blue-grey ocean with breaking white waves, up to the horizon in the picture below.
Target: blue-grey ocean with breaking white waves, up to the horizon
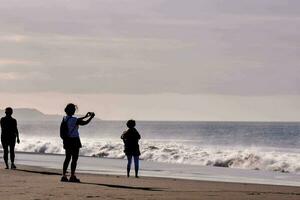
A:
(266, 146)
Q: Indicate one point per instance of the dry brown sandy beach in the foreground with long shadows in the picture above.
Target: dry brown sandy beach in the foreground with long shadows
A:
(40, 183)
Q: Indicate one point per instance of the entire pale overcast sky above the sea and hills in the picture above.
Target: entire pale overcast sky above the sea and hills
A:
(153, 60)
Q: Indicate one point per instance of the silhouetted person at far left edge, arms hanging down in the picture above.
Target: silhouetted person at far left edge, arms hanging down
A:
(9, 133)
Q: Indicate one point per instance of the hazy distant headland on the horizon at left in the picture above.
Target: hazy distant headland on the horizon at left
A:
(32, 114)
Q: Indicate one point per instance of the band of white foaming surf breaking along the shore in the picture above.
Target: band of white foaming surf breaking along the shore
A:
(283, 160)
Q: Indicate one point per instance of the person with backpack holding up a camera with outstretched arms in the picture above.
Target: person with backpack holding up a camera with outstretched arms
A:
(71, 139)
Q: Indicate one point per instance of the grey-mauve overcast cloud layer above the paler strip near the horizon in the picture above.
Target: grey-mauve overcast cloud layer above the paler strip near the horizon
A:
(160, 46)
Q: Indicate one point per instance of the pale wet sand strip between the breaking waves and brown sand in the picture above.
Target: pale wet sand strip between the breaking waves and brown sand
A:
(104, 166)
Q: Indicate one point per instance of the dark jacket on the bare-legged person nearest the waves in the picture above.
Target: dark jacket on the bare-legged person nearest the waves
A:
(131, 139)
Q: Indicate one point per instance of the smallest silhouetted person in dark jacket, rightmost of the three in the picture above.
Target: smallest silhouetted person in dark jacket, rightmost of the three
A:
(131, 139)
